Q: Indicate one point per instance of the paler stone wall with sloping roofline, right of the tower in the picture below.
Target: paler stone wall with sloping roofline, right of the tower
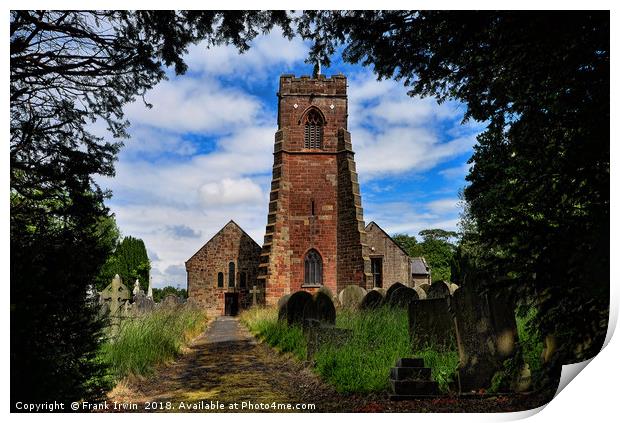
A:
(396, 263)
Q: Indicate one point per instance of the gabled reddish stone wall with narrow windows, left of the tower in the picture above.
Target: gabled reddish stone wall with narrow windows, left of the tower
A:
(230, 244)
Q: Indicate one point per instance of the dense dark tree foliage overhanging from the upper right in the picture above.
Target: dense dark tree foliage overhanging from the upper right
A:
(539, 187)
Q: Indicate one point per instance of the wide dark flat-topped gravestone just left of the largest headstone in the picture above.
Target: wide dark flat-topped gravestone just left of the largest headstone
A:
(431, 323)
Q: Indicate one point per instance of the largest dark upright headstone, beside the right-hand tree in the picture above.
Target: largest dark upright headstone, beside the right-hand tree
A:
(487, 334)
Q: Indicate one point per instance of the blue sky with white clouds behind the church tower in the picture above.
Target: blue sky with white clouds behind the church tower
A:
(203, 154)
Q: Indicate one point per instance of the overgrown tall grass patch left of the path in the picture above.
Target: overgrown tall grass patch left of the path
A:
(143, 342)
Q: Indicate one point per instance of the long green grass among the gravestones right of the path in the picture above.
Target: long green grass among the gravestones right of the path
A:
(361, 365)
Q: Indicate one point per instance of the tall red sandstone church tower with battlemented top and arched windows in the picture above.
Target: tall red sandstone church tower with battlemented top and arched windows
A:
(315, 232)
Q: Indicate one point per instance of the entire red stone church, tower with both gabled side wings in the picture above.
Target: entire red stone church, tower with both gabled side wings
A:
(315, 233)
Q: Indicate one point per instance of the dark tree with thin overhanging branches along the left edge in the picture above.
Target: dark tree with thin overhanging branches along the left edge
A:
(69, 69)
